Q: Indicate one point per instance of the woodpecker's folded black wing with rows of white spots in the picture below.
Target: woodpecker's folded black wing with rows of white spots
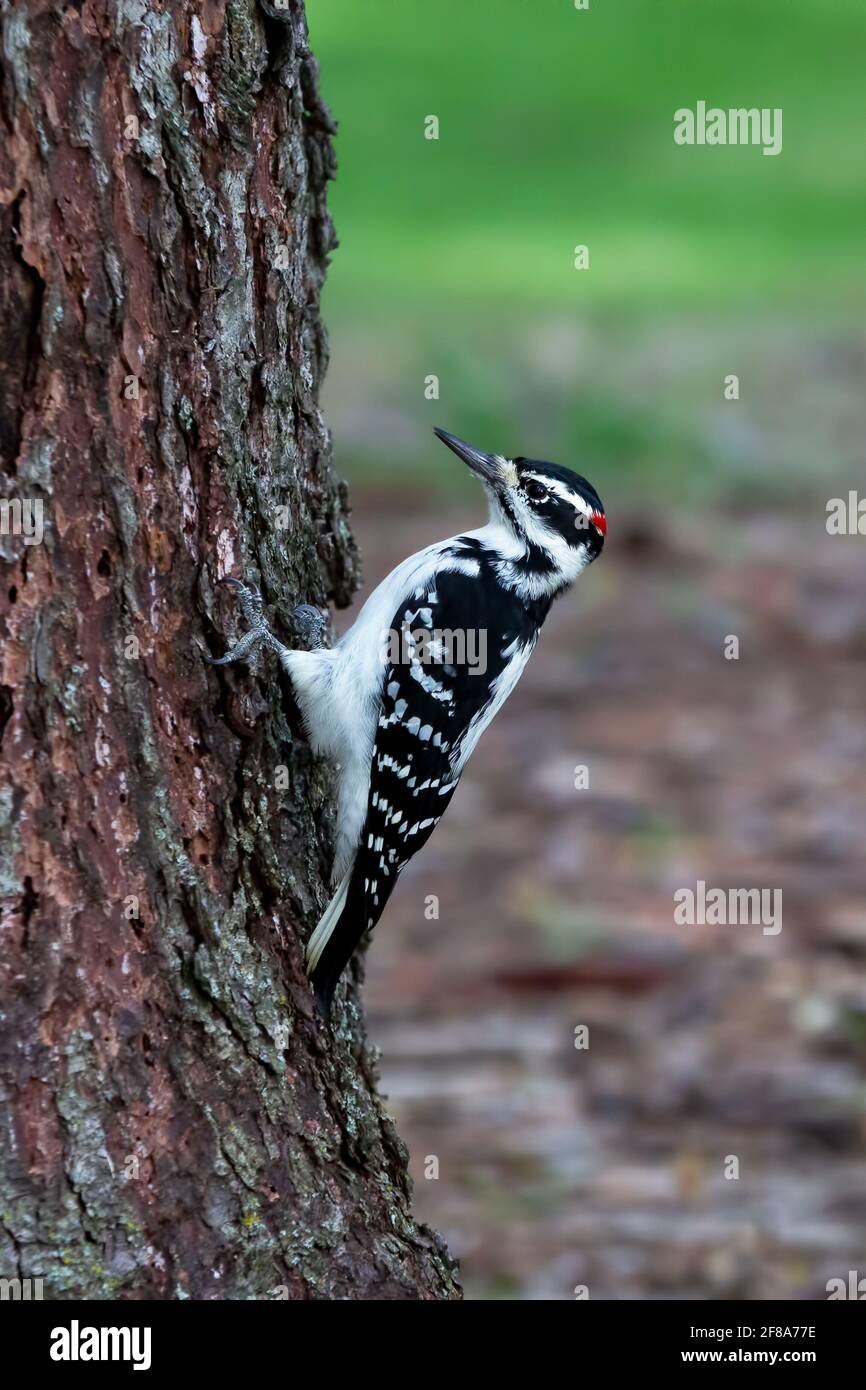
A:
(457, 641)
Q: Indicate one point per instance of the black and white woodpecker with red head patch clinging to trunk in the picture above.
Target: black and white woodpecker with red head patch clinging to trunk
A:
(402, 700)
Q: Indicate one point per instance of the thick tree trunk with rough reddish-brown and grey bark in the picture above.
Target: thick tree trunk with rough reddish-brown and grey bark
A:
(177, 1122)
